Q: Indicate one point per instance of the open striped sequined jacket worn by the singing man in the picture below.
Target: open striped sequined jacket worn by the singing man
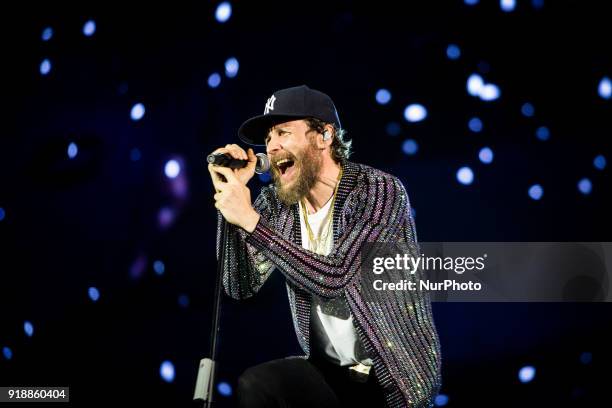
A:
(395, 327)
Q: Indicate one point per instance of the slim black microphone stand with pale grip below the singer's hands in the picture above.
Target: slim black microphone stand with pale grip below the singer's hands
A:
(205, 383)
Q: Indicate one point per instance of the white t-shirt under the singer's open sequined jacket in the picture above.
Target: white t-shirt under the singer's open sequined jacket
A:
(333, 332)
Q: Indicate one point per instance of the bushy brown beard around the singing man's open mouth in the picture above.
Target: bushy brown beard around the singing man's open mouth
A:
(307, 166)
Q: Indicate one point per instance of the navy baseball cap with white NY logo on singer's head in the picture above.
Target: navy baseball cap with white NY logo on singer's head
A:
(285, 105)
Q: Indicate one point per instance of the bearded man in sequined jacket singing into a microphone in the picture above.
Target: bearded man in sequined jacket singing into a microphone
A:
(364, 348)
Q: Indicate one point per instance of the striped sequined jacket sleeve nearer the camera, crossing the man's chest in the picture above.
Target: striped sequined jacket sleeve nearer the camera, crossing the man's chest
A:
(381, 210)
